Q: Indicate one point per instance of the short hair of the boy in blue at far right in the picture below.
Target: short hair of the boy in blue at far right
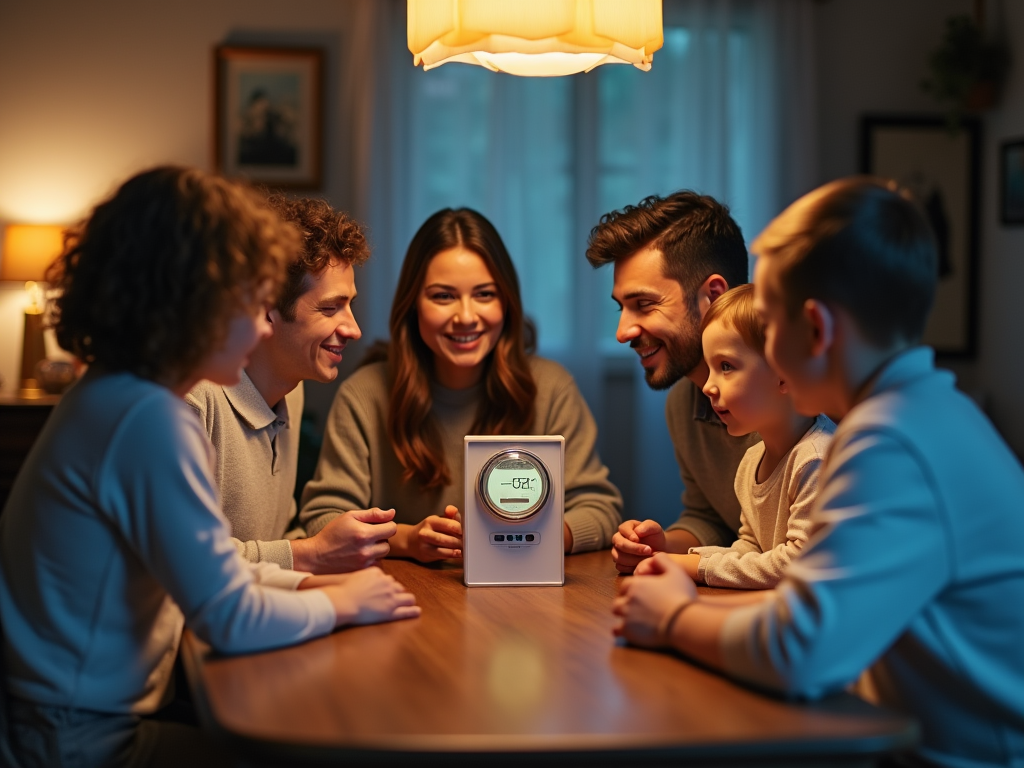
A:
(862, 243)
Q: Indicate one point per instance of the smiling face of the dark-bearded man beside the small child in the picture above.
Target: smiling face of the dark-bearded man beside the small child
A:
(657, 320)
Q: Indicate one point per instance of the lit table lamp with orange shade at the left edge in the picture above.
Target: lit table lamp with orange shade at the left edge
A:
(28, 250)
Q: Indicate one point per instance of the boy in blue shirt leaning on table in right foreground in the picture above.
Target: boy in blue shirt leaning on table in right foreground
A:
(914, 571)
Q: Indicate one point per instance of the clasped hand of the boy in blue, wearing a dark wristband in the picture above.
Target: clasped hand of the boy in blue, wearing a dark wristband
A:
(651, 602)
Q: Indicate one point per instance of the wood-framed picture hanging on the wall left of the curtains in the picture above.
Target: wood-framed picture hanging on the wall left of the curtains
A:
(269, 115)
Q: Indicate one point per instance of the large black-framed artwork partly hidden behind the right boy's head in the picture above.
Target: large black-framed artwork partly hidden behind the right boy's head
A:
(941, 168)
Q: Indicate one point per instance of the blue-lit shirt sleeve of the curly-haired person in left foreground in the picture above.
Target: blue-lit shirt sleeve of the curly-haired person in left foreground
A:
(157, 487)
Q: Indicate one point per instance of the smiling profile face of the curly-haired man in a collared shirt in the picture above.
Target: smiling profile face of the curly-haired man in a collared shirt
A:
(311, 347)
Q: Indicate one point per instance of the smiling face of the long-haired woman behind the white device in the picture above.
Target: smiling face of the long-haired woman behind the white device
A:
(461, 316)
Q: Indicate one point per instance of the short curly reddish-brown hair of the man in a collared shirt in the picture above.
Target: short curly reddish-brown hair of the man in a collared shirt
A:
(329, 237)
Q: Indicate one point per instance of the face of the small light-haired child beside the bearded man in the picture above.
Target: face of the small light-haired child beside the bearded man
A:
(745, 392)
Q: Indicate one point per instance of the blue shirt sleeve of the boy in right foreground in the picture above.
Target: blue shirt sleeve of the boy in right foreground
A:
(877, 554)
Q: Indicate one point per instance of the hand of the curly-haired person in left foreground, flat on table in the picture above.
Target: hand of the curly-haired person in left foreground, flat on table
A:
(365, 598)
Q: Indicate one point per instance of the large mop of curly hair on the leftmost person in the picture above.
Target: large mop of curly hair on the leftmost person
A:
(150, 282)
